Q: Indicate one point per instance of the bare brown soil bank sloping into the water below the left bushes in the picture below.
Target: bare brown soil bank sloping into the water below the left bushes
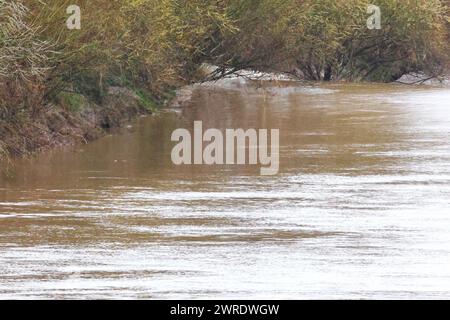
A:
(59, 126)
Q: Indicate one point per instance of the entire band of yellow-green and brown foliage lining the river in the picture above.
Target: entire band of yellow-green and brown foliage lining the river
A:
(152, 45)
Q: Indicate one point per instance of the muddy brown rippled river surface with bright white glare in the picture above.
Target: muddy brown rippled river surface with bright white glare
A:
(360, 208)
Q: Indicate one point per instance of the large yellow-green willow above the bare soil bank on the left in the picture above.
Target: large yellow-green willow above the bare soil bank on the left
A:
(148, 43)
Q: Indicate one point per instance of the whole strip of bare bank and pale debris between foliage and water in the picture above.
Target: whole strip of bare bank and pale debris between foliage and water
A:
(75, 119)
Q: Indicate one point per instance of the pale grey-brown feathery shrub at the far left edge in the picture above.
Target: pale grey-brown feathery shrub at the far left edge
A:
(24, 61)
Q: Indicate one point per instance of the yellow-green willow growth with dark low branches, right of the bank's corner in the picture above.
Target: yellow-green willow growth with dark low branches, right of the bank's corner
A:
(329, 39)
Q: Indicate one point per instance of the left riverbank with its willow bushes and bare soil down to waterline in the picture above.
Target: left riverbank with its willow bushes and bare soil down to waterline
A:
(61, 85)
